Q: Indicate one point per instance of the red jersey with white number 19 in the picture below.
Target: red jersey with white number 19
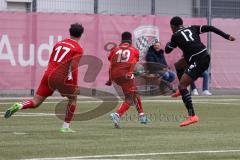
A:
(123, 59)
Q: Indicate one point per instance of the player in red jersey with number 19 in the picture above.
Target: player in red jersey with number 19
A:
(123, 59)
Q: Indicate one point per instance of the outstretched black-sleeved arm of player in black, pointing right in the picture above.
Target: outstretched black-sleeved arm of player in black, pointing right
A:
(207, 28)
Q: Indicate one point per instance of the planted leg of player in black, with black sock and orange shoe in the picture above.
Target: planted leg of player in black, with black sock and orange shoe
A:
(187, 100)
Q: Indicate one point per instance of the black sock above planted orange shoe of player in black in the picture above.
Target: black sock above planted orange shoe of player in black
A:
(187, 100)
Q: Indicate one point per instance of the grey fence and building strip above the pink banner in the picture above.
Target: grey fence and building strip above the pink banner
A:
(190, 8)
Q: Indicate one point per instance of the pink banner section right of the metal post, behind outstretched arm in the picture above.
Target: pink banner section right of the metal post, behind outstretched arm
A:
(225, 55)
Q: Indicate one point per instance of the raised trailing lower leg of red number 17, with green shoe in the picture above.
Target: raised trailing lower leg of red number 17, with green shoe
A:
(35, 102)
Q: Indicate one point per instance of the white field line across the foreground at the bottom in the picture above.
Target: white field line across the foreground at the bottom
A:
(137, 154)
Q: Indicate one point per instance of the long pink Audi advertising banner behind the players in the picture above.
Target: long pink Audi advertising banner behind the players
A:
(26, 41)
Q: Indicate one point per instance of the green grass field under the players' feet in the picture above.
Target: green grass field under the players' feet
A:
(34, 133)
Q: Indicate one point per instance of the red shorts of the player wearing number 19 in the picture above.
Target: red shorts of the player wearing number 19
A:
(128, 86)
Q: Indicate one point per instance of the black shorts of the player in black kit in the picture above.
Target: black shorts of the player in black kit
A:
(196, 69)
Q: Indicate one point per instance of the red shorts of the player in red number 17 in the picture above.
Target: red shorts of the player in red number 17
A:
(49, 84)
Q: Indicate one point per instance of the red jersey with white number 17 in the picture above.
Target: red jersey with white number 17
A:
(64, 59)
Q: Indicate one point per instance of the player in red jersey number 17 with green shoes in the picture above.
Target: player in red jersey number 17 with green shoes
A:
(61, 75)
